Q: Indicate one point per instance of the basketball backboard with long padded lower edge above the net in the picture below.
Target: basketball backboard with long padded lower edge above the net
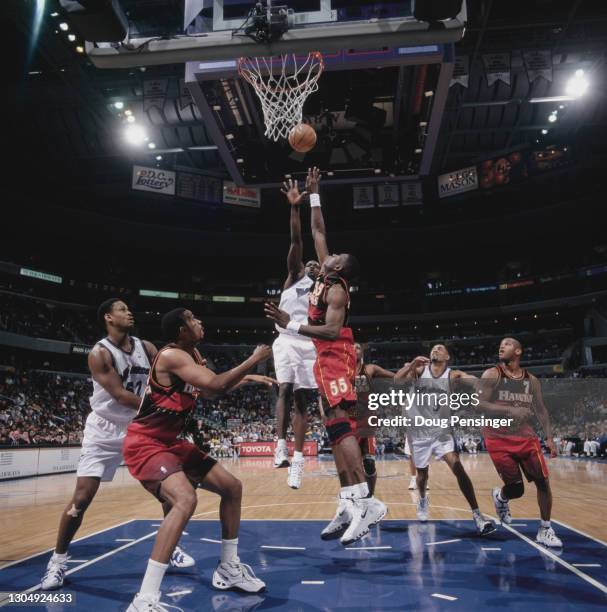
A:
(224, 29)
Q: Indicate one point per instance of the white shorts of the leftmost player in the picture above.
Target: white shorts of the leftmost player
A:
(101, 448)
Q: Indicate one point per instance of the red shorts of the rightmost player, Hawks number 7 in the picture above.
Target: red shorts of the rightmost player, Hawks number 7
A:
(510, 455)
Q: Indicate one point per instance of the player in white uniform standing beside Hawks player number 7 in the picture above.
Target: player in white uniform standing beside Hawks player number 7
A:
(433, 379)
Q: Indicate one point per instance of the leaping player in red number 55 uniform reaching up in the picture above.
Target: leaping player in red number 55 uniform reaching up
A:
(334, 370)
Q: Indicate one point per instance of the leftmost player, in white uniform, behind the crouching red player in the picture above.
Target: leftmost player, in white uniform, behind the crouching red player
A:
(119, 365)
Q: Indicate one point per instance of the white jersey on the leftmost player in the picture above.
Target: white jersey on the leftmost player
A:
(133, 369)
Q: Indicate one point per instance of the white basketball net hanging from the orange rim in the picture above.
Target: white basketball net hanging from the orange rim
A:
(282, 85)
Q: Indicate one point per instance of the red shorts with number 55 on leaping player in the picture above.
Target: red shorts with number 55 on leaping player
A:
(334, 368)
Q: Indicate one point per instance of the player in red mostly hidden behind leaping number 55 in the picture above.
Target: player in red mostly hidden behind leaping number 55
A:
(365, 435)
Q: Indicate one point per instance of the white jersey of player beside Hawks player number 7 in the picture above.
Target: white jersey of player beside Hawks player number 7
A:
(431, 403)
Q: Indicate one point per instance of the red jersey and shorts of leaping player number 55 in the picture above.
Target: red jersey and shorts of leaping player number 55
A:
(335, 364)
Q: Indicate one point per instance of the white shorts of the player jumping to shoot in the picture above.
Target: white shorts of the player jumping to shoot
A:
(293, 361)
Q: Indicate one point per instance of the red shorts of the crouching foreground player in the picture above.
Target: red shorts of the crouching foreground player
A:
(150, 461)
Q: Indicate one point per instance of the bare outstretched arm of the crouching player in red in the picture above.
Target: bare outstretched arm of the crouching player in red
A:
(182, 365)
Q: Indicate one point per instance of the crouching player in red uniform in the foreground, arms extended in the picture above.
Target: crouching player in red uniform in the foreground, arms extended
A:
(171, 468)
